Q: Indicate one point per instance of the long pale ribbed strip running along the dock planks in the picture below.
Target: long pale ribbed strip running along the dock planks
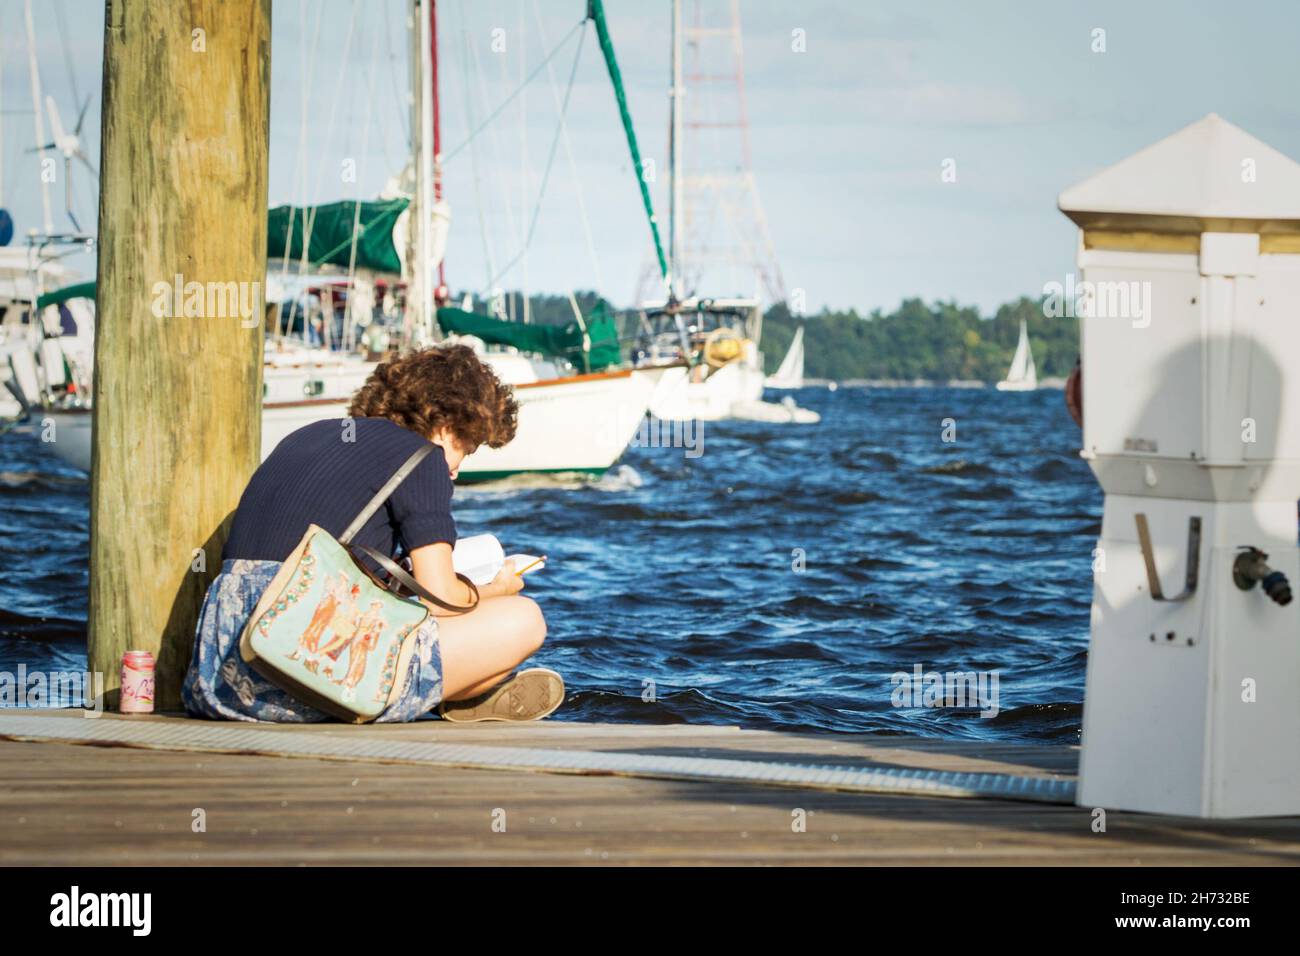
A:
(227, 738)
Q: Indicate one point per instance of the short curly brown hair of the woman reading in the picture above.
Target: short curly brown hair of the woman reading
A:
(441, 387)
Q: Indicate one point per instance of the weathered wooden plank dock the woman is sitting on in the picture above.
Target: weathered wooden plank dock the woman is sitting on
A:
(75, 804)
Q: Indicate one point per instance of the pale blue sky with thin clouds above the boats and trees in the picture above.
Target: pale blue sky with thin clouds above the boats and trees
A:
(848, 139)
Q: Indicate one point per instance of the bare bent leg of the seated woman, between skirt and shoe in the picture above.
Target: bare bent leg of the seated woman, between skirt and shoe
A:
(479, 650)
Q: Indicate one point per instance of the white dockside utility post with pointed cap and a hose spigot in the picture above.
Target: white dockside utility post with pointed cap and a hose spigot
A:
(1190, 321)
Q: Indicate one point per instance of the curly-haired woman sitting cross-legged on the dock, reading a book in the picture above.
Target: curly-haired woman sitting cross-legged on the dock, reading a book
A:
(324, 474)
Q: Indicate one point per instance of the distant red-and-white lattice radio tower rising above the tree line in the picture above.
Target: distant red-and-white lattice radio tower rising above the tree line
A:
(726, 248)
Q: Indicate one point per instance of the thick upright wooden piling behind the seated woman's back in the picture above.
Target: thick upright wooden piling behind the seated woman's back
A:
(177, 396)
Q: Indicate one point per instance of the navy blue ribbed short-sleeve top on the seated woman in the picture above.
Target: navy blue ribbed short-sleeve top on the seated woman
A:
(326, 473)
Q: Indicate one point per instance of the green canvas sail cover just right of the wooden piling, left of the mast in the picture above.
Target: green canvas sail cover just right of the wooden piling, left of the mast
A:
(332, 233)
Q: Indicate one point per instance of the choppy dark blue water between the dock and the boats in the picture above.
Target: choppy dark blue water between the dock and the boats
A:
(671, 590)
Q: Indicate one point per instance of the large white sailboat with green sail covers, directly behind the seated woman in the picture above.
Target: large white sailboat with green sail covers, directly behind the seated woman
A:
(567, 423)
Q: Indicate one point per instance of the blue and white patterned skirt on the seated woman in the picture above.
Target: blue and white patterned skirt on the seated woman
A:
(223, 687)
